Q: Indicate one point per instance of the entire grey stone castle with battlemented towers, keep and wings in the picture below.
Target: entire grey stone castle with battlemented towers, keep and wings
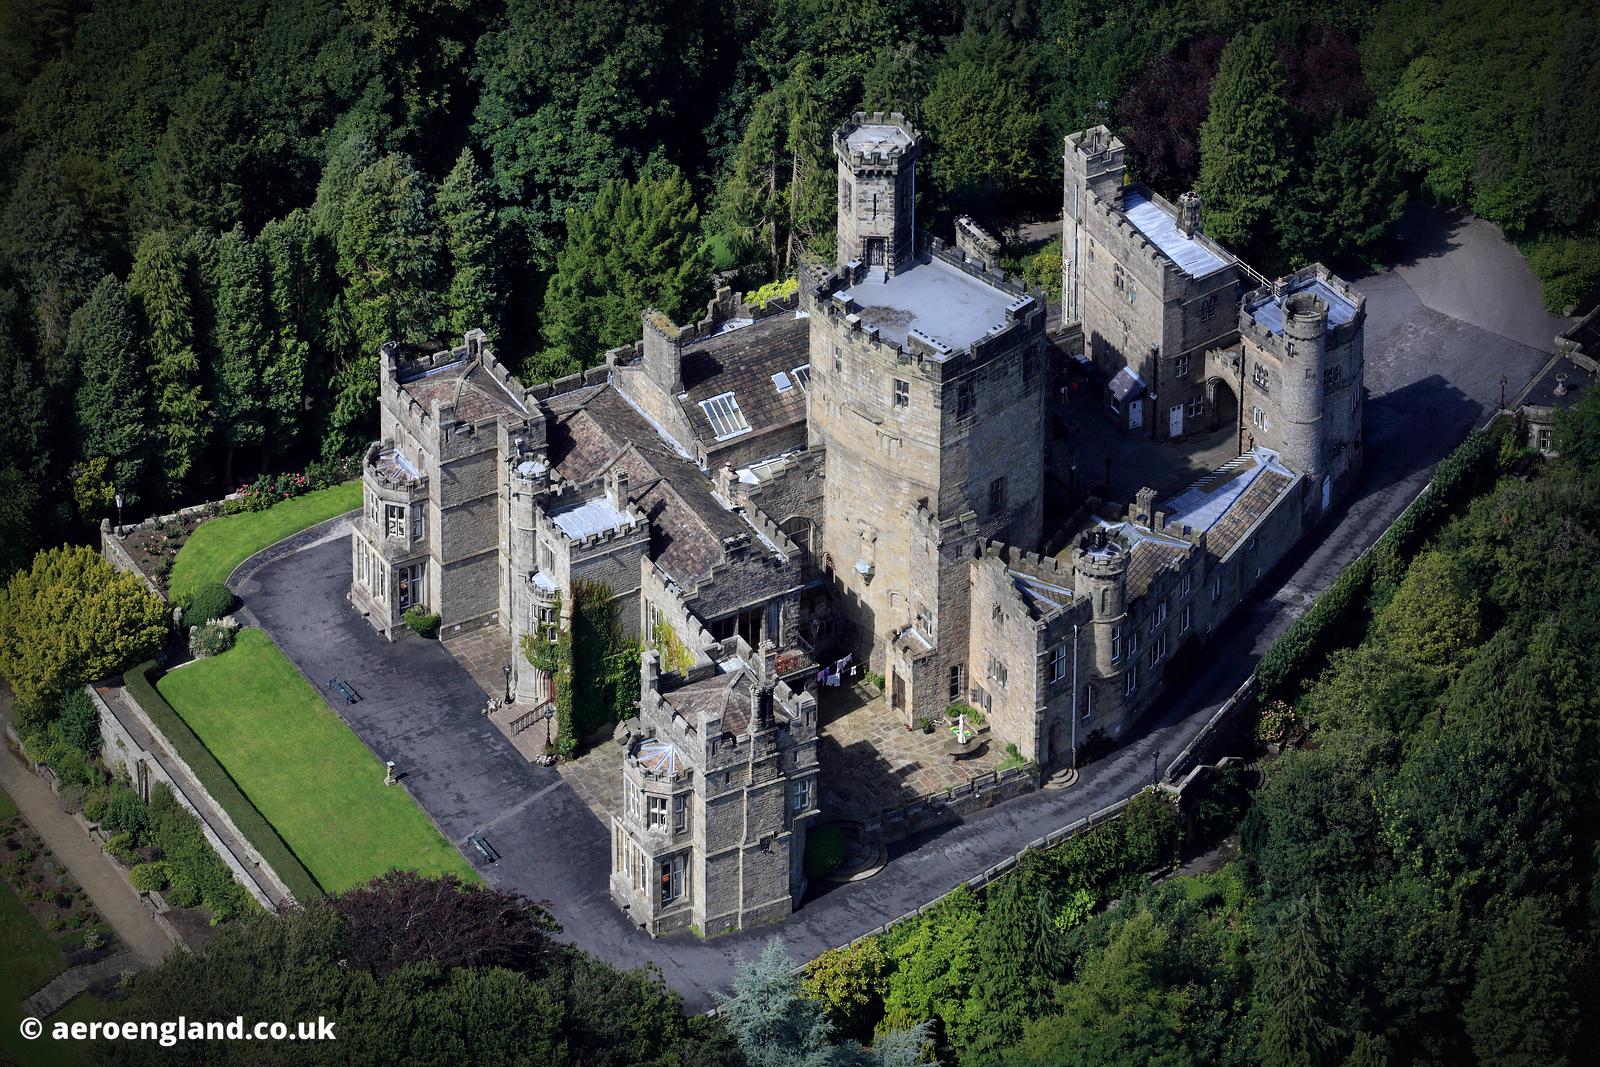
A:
(860, 470)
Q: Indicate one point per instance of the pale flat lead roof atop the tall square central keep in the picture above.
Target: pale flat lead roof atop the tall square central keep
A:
(934, 298)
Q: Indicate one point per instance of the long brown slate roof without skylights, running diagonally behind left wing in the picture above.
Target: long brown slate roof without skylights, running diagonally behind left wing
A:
(687, 524)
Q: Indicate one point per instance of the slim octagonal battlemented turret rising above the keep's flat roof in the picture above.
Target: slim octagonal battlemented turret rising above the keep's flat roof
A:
(878, 191)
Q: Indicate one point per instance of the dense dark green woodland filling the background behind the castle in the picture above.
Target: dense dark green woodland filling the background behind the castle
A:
(212, 214)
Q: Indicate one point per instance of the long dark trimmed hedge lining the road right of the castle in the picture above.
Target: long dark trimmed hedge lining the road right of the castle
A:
(1340, 613)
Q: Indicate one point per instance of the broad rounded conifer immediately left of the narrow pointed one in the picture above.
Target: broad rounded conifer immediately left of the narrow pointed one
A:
(390, 255)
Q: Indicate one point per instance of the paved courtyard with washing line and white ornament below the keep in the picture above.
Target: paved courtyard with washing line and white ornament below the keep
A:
(873, 764)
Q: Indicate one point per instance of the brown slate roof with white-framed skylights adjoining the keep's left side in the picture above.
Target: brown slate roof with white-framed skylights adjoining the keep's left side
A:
(743, 362)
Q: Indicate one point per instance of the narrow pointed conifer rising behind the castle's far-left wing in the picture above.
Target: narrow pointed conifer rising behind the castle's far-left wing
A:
(473, 298)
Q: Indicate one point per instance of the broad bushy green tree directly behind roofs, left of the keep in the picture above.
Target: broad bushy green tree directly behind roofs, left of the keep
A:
(636, 249)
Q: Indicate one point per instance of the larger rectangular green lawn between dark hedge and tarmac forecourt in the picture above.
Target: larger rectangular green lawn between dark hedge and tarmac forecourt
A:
(303, 769)
